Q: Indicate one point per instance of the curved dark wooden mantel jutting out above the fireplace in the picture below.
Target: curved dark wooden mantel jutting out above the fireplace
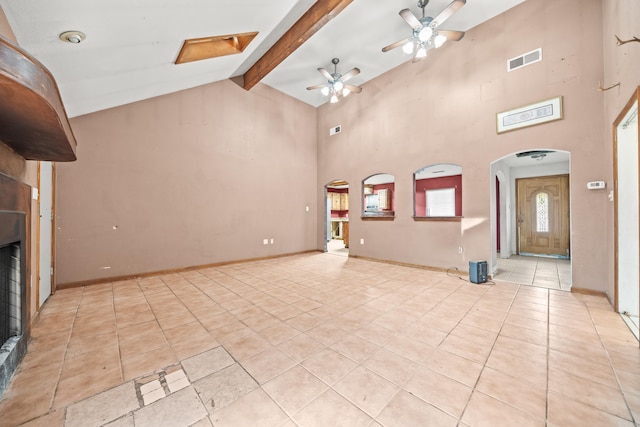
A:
(33, 121)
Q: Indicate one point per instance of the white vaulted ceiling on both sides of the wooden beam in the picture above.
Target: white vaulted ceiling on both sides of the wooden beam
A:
(131, 47)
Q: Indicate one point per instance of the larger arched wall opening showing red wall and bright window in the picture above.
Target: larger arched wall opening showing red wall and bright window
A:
(438, 191)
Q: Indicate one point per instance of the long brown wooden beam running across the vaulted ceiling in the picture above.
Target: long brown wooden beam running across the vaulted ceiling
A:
(315, 18)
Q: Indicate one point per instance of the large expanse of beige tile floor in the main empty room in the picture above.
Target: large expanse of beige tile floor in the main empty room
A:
(322, 340)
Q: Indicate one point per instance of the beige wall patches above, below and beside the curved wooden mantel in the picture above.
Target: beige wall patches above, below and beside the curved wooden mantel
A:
(15, 166)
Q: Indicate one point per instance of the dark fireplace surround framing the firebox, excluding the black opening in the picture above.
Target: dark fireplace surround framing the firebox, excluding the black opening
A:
(15, 214)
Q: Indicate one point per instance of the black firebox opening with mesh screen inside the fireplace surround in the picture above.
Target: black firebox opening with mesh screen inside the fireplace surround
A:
(10, 292)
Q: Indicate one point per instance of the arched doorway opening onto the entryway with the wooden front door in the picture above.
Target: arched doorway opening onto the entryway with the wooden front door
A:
(528, 220)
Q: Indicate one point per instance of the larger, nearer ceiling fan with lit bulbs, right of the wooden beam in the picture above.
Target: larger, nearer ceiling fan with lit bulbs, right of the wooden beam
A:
(426, 33)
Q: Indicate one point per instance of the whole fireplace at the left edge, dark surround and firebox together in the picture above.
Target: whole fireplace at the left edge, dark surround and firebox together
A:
(14, 272)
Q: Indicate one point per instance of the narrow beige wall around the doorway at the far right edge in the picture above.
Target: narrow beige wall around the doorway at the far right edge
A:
(621, 65)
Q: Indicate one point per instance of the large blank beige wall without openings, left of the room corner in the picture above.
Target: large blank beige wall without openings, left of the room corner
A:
(191, 178)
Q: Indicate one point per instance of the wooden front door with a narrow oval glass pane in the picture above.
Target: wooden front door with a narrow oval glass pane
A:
(543, 215)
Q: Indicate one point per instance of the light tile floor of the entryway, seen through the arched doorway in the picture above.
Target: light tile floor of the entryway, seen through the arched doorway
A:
(551, 273)
